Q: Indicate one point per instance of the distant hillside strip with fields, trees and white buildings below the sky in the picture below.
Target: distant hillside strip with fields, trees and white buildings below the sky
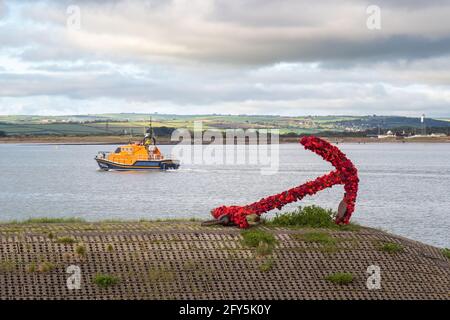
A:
(378, 127)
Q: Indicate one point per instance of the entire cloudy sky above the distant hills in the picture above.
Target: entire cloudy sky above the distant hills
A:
(284, 57)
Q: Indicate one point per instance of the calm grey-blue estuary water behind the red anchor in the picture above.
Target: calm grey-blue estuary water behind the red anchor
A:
(404, 188)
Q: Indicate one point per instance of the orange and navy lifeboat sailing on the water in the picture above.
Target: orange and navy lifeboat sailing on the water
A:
(144, 155)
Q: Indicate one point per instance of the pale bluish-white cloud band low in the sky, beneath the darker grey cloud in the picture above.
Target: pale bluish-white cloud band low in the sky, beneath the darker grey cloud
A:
(186, 88)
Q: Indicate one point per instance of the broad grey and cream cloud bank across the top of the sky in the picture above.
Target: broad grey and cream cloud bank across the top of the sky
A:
(243, 33)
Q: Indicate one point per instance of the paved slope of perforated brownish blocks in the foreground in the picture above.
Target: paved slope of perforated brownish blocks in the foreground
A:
(181, 260)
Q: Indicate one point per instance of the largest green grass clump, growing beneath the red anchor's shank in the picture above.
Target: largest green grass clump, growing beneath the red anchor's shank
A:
(310, 217)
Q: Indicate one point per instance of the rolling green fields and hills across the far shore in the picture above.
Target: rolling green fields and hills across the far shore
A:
(134, 124)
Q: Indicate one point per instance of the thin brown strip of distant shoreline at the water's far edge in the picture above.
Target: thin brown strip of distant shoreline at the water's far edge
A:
(113, 140)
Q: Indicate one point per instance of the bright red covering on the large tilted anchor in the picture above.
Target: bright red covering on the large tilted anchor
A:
(345, 173)
